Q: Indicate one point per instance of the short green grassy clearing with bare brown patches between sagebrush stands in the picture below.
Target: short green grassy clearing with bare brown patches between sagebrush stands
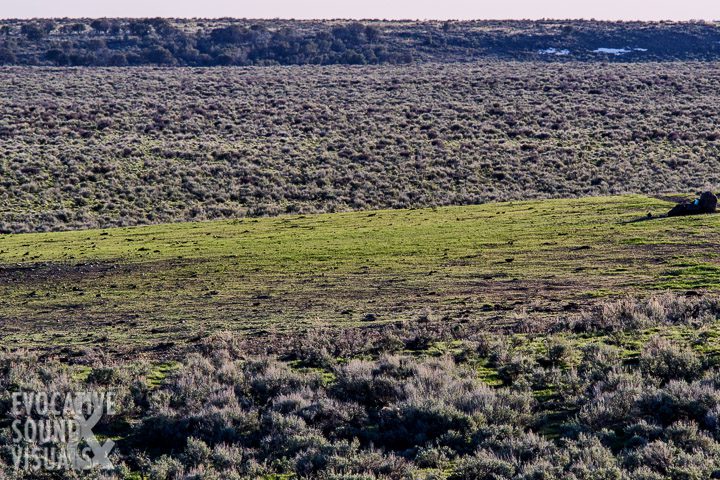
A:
(159, 286)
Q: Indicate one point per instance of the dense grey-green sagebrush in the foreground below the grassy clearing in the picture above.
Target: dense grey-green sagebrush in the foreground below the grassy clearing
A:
(497, 407)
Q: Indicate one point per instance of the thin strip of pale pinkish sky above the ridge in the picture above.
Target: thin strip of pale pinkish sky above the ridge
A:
(359, 9)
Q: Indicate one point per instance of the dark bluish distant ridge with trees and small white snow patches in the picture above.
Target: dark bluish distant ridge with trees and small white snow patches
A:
(175, 42)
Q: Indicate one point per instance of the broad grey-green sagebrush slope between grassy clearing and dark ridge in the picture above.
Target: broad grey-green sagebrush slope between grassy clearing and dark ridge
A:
(88, 148)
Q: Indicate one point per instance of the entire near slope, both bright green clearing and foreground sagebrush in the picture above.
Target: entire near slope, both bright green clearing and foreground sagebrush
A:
(534, 339)
